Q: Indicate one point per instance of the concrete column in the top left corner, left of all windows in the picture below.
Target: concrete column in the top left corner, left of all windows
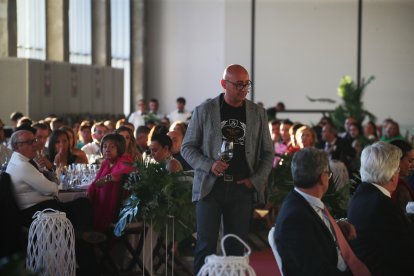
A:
(8, 28)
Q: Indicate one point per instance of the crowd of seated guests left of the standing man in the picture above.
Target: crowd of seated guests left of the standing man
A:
(51, 143)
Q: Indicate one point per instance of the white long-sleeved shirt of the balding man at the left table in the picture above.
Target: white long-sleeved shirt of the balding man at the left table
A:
(30, 185)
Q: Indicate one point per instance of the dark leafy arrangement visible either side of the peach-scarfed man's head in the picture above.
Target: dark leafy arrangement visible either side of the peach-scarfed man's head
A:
(336, 200)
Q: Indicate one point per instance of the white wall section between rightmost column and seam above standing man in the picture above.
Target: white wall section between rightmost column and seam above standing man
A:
(185, 50)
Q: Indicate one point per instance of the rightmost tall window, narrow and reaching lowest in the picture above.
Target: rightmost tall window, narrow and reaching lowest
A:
(120, 44)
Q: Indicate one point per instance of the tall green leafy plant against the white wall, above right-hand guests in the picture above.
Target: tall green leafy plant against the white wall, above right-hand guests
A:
(352, 105)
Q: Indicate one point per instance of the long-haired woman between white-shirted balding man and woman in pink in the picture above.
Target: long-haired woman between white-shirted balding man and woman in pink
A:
(60, 152)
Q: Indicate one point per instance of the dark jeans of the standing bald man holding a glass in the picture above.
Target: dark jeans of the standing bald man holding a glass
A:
(232, 202)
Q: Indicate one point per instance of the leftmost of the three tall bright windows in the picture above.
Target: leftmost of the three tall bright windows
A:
(31, 29)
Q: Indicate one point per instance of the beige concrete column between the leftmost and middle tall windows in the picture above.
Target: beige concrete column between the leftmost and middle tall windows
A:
(57, 30)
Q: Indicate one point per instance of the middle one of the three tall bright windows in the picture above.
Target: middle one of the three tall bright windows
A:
(80, 36)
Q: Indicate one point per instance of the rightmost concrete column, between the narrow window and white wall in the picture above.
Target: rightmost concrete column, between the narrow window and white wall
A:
(137, 50)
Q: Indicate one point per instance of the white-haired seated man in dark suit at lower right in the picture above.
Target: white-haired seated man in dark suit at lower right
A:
(385, 242)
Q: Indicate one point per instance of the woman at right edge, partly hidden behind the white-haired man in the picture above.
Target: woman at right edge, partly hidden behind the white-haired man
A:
(403, 194)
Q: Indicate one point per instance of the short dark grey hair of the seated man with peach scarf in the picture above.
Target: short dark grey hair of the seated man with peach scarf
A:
(307, 165)
